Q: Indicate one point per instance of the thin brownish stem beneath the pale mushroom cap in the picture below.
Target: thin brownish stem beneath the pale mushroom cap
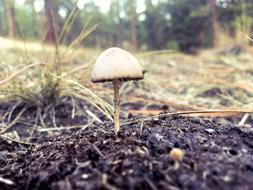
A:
(116, 85)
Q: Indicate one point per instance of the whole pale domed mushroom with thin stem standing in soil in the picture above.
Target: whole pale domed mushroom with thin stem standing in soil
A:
(116, 65)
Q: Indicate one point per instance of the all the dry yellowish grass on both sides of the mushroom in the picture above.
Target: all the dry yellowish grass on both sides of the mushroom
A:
(210, 80)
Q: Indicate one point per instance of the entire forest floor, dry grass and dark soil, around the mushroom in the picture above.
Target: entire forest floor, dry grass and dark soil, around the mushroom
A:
(65, 139)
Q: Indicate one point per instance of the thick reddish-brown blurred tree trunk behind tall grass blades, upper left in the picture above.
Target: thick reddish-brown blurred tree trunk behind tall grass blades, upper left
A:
(50, 36)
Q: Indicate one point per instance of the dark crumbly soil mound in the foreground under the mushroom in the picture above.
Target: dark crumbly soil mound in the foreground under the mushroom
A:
(217, 156)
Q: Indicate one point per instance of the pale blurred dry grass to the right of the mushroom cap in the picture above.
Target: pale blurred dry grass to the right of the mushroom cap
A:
(194, 80)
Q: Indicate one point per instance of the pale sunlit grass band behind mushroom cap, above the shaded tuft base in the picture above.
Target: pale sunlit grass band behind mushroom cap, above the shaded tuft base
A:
(170, 77)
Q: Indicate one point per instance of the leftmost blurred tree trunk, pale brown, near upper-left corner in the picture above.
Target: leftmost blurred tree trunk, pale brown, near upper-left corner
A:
(11, 18)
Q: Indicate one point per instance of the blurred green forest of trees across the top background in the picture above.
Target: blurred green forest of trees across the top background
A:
(184, 25)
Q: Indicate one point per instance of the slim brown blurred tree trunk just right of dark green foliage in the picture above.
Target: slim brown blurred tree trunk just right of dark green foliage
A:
(214, 21)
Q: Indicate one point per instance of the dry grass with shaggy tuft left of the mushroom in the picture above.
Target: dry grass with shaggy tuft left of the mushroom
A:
(31, 79)
